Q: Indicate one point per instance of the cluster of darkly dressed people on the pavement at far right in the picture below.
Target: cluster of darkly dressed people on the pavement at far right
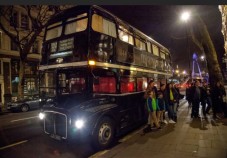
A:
(208, 97)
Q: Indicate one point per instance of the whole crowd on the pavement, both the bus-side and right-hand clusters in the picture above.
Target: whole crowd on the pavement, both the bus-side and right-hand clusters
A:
(168, 96)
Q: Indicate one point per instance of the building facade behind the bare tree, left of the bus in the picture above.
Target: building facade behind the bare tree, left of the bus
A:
(10, 58)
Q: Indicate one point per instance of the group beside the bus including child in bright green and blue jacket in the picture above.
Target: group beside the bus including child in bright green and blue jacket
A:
(160, 101)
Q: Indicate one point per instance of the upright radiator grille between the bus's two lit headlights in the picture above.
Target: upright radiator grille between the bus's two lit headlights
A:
(55, 123)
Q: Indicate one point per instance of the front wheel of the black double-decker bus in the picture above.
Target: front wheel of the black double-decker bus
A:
(103, 135)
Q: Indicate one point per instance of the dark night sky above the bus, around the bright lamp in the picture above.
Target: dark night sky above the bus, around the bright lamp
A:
(162, 23)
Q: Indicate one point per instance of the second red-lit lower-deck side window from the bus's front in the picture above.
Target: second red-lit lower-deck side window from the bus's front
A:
(127, 85)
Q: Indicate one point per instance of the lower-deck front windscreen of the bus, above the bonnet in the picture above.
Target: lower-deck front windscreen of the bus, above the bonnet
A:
(61, 82)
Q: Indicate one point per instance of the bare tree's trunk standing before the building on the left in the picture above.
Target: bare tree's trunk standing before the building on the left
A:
(21, 80)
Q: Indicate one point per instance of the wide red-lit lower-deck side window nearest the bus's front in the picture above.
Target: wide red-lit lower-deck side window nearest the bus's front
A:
(104, 85)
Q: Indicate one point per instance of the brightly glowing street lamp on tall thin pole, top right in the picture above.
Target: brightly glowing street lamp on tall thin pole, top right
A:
(185, 16)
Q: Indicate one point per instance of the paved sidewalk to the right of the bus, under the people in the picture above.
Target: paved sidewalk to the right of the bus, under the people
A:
(188, 138)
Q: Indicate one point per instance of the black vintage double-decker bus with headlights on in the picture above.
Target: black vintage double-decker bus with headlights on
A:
(93, 75)
